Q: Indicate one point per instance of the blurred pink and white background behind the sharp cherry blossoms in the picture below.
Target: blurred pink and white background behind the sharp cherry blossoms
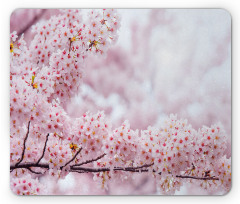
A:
(165, 61)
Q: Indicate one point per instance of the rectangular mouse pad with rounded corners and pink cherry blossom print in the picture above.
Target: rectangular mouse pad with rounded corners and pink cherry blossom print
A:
(120, 102)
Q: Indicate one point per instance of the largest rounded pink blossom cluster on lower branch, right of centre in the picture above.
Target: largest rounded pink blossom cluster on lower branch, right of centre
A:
(171, 147)
